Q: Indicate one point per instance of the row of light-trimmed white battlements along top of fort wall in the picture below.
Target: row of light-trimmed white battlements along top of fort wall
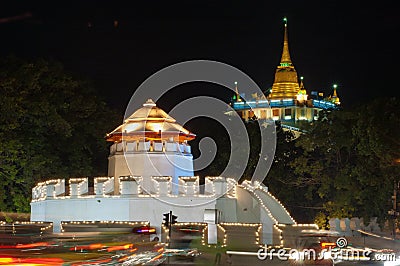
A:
(132, 186)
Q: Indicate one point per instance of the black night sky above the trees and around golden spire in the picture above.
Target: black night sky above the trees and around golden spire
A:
(350, 43)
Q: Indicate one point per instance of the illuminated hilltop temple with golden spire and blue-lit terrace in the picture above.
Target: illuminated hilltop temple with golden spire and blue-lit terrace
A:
(288, 100)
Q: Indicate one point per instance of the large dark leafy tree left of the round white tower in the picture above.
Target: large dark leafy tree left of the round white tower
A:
(51, 125)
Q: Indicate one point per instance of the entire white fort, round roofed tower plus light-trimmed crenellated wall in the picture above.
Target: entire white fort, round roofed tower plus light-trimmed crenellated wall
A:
(151, 173)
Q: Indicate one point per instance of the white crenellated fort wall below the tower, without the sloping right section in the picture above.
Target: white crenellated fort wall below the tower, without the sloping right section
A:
(52, 202)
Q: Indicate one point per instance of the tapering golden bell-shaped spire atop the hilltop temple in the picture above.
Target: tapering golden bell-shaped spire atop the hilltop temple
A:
(286, 83)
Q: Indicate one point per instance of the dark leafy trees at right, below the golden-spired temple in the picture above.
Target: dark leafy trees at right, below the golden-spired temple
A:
(345, 164)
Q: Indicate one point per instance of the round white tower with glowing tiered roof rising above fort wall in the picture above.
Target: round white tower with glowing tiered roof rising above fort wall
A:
(149, 144)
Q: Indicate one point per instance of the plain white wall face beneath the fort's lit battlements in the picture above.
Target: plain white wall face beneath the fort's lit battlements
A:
(116, 208)
